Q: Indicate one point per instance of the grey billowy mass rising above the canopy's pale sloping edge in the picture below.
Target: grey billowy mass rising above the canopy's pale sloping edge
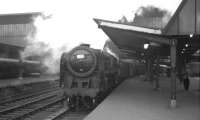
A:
(148, 16)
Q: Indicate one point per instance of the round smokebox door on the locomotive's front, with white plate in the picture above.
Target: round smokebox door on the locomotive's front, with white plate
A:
(82, 61)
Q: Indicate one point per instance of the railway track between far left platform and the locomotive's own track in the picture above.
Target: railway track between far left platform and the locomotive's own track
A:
(19, 109)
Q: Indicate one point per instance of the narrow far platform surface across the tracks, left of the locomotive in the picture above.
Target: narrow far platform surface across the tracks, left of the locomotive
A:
(27, 80)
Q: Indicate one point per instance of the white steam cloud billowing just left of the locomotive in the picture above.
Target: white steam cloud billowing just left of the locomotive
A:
(46, 45)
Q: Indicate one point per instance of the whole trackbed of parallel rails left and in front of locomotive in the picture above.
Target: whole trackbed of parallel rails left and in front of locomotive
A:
(44, 106)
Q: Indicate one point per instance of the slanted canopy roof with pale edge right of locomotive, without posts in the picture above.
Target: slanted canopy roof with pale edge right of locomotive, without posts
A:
(131, 39)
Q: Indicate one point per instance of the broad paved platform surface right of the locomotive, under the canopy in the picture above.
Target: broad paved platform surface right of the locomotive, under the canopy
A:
(135, 99)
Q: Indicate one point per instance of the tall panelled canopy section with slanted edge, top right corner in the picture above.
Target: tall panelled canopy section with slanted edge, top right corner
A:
(186, 19)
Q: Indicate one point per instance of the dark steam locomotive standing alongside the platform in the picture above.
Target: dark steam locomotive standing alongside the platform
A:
(86, 73)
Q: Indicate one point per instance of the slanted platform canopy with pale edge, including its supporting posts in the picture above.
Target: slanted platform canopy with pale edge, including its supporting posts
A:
(133, 38)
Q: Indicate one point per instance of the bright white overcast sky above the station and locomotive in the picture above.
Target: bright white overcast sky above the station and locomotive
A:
(72, 19)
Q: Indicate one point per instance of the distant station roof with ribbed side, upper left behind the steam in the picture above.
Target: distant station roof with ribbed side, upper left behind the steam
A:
(14, 28)
